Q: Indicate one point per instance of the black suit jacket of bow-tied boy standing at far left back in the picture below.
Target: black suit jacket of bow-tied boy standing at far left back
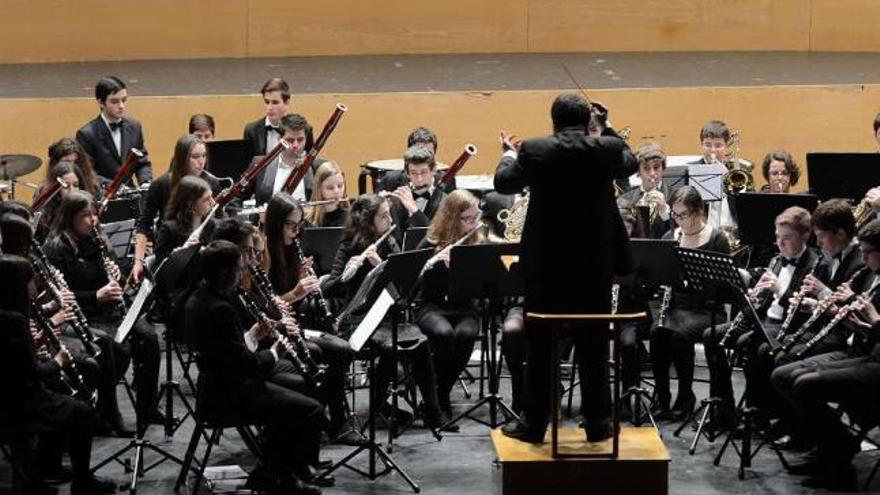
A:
(96, 140)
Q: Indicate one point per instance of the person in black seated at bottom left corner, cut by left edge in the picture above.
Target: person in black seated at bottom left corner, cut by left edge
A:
(29, 406)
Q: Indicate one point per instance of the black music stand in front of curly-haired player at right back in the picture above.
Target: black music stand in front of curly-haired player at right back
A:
(757, 214)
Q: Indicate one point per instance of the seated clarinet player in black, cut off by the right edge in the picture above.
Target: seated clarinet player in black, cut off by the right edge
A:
(849, 376)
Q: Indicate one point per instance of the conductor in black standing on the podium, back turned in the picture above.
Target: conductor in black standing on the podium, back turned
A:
(550, 261)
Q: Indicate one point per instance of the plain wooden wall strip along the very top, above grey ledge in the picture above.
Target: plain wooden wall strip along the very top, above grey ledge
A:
(82, 30)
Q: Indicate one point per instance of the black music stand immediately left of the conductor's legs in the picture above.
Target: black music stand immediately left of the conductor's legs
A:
(487, 273)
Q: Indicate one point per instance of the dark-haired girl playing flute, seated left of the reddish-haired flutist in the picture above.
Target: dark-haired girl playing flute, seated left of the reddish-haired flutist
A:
(369, 220)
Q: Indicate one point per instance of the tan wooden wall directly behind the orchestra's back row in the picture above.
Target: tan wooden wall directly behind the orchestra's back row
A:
(798, 119)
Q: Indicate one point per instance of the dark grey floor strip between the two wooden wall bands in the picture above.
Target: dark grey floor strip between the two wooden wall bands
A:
(426, 73)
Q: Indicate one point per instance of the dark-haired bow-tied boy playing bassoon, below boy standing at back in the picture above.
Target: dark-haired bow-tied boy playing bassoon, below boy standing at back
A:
(296, 131)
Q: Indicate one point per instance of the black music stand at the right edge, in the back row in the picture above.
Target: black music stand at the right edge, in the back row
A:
(842, 175)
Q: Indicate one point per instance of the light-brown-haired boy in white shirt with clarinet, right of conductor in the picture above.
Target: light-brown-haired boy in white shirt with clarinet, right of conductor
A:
(770, 296)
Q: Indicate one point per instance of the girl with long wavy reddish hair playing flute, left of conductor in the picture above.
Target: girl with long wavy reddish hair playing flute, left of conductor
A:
(452, 327)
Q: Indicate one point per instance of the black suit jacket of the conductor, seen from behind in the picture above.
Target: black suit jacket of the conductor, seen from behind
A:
(569, 175)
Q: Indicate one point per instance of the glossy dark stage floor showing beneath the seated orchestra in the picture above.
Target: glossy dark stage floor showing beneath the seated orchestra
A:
(462, 463)
